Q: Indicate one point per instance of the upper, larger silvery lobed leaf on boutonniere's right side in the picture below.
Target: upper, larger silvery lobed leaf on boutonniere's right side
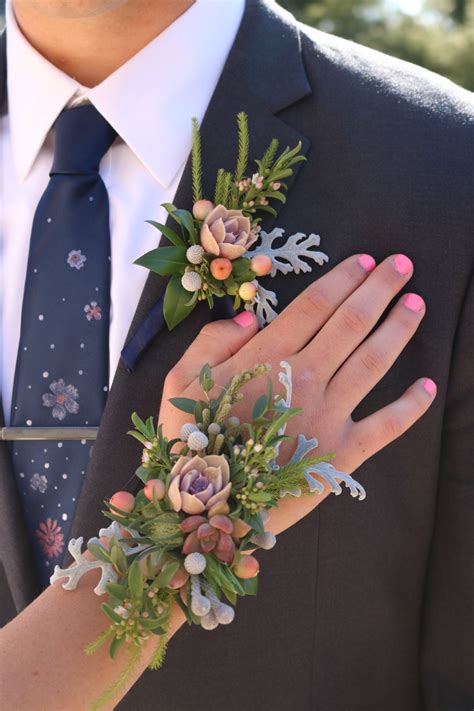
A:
(289, 256)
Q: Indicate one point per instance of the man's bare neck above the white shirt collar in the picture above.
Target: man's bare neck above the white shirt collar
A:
(90, 39)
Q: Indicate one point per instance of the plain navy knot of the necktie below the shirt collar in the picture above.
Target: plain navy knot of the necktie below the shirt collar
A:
(82, 137)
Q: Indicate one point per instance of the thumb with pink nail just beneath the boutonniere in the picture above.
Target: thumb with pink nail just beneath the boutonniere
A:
(216, 343)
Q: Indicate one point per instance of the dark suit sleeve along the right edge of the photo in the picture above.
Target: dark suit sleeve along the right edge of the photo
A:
(447, 635)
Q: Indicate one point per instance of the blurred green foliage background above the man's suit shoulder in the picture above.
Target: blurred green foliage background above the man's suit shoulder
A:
(437, 34)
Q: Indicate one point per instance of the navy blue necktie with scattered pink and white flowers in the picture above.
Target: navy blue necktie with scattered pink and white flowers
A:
(62, 368)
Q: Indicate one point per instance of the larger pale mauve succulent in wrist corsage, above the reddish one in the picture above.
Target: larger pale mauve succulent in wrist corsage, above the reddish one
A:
(198, 483)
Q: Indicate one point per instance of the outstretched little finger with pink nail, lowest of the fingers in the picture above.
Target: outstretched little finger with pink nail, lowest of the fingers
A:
(375, 432)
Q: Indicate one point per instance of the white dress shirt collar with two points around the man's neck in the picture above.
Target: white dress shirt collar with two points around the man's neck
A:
(149, 100)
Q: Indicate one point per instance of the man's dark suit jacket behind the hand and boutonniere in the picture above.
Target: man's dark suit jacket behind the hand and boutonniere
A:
(363, 606)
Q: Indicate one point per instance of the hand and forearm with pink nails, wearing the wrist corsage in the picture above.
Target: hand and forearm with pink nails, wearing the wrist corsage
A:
(323, 334)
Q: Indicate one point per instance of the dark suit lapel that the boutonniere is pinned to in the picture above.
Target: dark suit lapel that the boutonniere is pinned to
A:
(252, 81)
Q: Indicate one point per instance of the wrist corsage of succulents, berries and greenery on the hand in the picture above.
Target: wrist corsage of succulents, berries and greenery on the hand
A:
(188, 535)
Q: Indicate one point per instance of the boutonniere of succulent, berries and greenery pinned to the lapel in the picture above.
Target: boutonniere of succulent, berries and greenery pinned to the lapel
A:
(218, 249)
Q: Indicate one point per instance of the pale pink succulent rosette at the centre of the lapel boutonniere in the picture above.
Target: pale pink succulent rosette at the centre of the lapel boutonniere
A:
(227, 233)
